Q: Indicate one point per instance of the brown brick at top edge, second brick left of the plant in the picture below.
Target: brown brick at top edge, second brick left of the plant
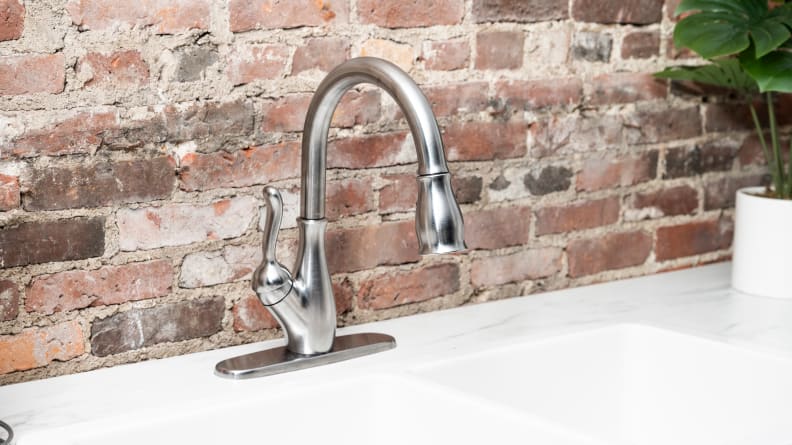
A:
(522, 11)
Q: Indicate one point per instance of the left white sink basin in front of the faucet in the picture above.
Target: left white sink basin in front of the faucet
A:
(372, 410)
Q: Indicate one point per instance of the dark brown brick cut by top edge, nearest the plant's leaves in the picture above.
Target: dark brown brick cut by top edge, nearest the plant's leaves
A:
(636, 12)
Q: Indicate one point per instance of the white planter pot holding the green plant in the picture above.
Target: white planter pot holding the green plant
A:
(762, 261)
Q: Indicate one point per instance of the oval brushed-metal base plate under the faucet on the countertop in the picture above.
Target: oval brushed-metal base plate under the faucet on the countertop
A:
(278, 360)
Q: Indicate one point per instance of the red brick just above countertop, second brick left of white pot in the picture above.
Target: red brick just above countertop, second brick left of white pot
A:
(608, 252)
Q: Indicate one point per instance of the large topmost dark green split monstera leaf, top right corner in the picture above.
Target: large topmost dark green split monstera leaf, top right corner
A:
(727, 27)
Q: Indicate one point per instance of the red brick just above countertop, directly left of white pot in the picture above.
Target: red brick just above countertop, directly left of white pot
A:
(693, 239)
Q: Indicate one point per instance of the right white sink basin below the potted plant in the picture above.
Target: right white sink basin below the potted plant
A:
(638, 385)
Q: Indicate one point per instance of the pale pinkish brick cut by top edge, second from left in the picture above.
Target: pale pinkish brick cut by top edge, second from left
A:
(166, 16)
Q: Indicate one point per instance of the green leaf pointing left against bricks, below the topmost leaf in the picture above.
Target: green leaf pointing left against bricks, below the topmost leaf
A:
(725, 73)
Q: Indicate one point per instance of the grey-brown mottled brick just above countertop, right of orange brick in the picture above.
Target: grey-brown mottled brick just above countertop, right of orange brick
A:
(140, 328)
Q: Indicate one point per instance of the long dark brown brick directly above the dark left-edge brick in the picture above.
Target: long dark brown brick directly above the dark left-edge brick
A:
(100, 184)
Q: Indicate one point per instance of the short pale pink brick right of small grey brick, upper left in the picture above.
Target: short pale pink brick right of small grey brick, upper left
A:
(250, 63)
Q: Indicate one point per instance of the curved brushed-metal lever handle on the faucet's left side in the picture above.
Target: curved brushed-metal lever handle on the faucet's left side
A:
(271, 280)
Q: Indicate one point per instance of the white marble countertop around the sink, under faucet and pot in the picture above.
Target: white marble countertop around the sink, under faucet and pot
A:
(697, 301)
